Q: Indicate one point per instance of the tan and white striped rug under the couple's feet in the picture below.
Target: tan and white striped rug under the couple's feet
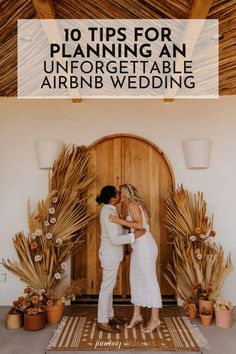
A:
(176, 334)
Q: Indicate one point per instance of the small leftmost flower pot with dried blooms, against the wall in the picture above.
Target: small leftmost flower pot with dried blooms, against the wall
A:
(15, 316)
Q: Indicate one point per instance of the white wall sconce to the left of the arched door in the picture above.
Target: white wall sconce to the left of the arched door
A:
(47, 151)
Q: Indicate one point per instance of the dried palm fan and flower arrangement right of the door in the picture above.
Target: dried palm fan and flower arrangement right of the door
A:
(199, 265)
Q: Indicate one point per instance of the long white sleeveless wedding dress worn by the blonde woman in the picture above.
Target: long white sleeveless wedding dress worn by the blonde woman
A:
(145, 290)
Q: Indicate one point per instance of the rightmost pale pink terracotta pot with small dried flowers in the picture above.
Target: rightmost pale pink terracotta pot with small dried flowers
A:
(223, 313)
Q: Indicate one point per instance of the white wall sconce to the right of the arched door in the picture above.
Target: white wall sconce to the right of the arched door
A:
(197, 153)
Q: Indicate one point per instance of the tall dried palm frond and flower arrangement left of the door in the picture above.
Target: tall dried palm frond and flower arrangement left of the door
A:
(56, 227)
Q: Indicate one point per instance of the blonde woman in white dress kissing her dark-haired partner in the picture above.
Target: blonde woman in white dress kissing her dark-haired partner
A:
(144, 286)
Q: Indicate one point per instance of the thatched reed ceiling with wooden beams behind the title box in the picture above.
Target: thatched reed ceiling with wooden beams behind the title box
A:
(11, 10)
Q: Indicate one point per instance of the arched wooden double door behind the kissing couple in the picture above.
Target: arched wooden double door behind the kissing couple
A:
(121, 159)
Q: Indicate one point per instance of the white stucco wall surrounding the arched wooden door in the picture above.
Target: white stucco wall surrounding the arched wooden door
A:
(22, 122)
